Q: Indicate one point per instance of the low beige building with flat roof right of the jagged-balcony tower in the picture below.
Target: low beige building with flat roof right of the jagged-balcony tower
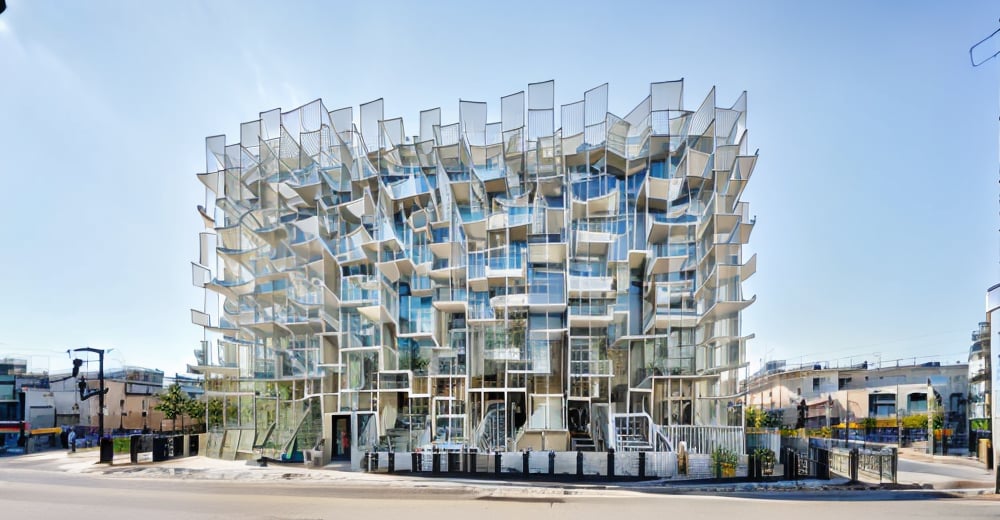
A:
(836, 396)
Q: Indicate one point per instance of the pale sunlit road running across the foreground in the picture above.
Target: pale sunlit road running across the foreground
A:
(30, 493)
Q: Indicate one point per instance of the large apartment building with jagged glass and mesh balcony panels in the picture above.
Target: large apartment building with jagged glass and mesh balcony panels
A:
(539, 281)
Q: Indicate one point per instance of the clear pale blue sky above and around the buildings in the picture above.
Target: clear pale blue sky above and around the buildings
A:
(875, 192)
